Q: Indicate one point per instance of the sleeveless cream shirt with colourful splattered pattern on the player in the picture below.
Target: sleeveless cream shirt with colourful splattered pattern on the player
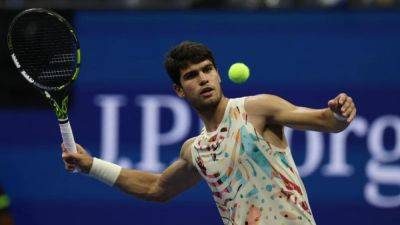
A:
(252, 181)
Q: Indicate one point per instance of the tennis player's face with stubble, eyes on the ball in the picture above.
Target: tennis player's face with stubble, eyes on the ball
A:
(200, 85)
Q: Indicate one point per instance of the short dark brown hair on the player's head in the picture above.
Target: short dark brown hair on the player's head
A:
(183, 55)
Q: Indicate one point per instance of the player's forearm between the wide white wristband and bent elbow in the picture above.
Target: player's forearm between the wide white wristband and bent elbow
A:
(140, 184)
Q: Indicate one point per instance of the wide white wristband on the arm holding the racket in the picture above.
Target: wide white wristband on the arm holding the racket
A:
(104, 171)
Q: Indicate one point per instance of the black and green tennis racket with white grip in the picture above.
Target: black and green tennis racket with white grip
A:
(45, 50)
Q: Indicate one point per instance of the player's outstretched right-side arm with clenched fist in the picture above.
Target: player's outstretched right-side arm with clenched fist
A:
(276, 110)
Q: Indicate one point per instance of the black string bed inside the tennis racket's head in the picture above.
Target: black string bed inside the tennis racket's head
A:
(46, 49)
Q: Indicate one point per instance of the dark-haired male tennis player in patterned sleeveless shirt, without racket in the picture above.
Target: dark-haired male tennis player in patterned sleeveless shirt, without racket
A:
(242, 152)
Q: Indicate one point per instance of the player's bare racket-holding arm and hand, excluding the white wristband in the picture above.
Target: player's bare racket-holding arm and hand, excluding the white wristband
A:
(178, 177)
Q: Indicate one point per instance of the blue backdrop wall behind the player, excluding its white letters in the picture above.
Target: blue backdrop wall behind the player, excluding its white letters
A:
(304, 57)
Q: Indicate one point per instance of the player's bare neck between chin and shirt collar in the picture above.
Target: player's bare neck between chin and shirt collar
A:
(212, 117)
